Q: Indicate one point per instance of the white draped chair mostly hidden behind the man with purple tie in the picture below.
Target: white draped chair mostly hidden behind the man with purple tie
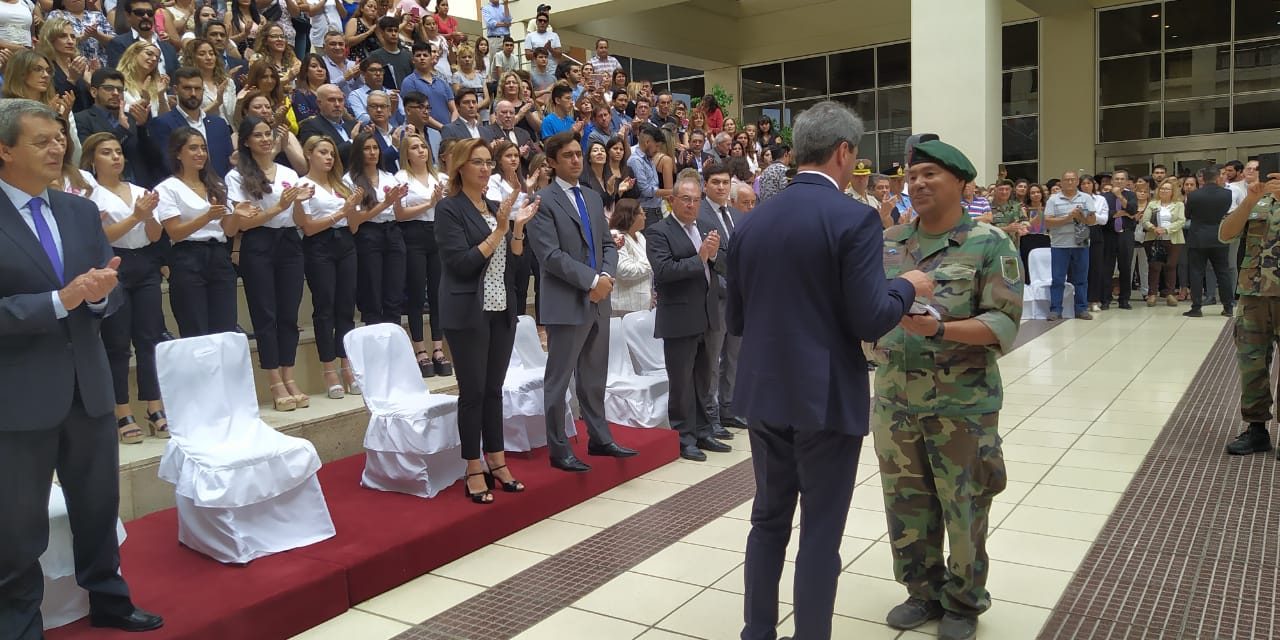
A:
(65, 600)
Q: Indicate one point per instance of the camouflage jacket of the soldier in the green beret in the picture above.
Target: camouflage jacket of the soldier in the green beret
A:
(977, 276)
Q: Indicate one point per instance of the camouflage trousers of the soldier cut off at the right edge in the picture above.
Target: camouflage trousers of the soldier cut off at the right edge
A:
(1258, 326)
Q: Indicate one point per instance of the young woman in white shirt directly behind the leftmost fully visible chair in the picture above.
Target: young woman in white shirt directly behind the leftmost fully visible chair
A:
(193, 209)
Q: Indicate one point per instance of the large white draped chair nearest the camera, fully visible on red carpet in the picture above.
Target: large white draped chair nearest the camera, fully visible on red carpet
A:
(244, 490)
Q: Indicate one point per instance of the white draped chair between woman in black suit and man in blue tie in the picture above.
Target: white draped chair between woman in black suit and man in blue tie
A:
(524, 426)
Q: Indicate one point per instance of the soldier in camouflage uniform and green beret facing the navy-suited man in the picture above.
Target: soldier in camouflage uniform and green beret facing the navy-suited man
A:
(939, 396)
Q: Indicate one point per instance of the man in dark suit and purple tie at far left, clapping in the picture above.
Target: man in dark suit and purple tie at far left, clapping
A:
(60, 275)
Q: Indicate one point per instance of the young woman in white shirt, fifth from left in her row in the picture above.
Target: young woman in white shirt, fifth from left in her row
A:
(380, 245)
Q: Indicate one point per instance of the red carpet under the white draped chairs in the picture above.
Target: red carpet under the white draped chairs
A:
(385, 541)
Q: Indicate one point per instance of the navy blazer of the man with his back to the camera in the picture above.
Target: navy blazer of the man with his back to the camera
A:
(806, 287)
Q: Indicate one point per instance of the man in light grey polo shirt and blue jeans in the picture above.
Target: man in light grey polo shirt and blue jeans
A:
(1068, 217)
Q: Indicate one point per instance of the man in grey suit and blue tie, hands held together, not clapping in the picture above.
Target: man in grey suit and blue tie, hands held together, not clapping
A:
(572, 241)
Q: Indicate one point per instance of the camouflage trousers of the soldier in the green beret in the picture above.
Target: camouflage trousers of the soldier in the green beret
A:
(939, 476)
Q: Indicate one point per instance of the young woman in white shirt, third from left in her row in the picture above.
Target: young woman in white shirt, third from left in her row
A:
(271, 259)
